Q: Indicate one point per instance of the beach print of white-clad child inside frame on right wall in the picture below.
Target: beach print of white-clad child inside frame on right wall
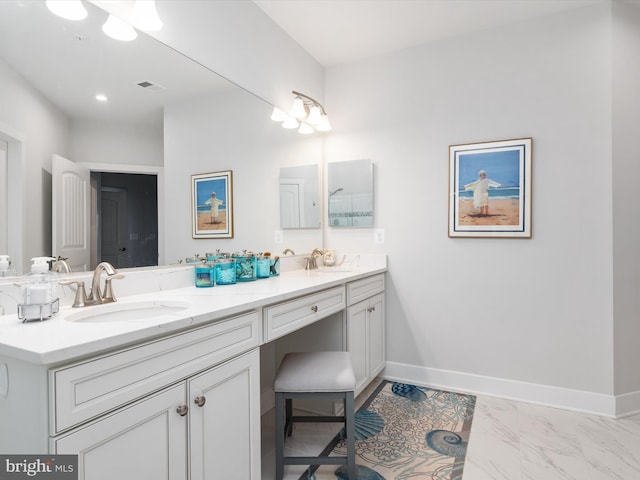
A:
(489, 201)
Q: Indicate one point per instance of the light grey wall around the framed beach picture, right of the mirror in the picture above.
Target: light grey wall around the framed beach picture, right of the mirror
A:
(500, 315)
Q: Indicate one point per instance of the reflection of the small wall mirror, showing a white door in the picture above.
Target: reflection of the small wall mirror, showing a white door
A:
(300, 197)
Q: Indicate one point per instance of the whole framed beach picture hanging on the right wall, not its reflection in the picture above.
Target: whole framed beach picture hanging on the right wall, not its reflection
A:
(490, 189)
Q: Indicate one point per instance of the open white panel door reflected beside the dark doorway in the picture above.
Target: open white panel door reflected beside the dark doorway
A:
(70, 213)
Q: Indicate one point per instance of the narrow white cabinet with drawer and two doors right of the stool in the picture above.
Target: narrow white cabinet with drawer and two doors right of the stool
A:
(366, 328)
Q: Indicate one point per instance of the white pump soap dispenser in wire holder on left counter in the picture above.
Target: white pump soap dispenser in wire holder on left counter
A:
(39, 300)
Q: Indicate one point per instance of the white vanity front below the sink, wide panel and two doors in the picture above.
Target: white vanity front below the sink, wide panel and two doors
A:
(195, 411)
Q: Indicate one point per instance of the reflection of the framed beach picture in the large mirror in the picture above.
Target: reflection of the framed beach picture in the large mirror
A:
(212, 205)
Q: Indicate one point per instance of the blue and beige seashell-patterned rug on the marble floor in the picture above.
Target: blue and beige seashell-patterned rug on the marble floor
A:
(406, 432)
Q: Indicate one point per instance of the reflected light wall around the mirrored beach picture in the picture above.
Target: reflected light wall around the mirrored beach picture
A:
(232, 131)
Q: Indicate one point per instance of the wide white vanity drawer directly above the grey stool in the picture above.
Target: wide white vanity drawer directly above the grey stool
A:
(286, 317)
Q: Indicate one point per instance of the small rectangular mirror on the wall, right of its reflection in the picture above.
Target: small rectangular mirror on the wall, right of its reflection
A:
(350, 195)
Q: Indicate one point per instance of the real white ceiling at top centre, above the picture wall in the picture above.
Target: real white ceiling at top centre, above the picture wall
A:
(342, 31)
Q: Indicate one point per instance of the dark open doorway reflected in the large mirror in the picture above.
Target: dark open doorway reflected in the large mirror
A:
(126, 221)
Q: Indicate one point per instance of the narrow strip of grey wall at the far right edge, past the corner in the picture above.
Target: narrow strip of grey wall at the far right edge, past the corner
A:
(626, 217)
